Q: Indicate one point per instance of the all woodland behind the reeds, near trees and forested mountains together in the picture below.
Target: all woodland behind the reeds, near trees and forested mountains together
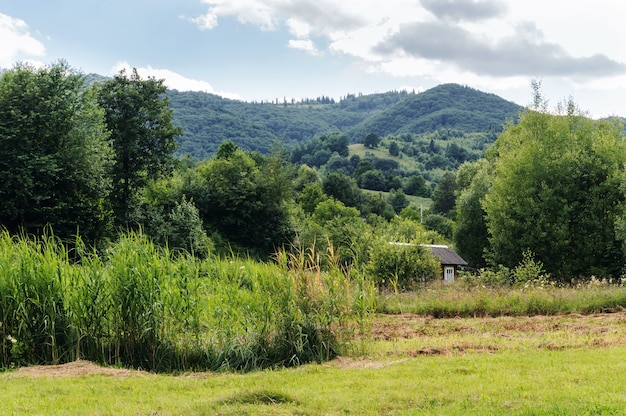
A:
(97, 157)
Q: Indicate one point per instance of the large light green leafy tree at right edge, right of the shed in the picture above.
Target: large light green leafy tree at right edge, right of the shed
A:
(557, 191)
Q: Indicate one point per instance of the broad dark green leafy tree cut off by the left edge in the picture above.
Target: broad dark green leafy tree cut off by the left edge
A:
(55, 153)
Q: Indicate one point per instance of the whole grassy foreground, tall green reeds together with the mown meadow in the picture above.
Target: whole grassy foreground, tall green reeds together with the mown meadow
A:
(173, 336)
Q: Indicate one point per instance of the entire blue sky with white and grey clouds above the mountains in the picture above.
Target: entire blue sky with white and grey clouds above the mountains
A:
(268, 49)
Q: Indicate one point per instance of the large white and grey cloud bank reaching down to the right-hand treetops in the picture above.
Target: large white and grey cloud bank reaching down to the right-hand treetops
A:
(494, 45)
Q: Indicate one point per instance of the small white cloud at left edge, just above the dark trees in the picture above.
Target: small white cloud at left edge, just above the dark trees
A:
(17, 42)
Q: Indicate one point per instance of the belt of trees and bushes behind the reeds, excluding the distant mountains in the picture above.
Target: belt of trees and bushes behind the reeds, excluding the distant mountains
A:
(96, 159)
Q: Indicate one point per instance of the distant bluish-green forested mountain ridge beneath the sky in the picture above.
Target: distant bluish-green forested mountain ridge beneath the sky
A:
(207, 120)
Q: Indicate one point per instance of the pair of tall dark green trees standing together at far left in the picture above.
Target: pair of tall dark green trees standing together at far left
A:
(75, 157)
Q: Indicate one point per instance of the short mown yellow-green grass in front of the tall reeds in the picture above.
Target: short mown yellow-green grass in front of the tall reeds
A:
(411, 365)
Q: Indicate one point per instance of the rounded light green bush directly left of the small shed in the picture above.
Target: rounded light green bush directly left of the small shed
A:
(402, 266)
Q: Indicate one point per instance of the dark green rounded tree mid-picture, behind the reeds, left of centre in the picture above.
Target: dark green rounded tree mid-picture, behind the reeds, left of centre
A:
(244, 199)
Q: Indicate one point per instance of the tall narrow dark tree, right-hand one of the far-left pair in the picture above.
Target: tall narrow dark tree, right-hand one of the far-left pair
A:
(138, 115)
